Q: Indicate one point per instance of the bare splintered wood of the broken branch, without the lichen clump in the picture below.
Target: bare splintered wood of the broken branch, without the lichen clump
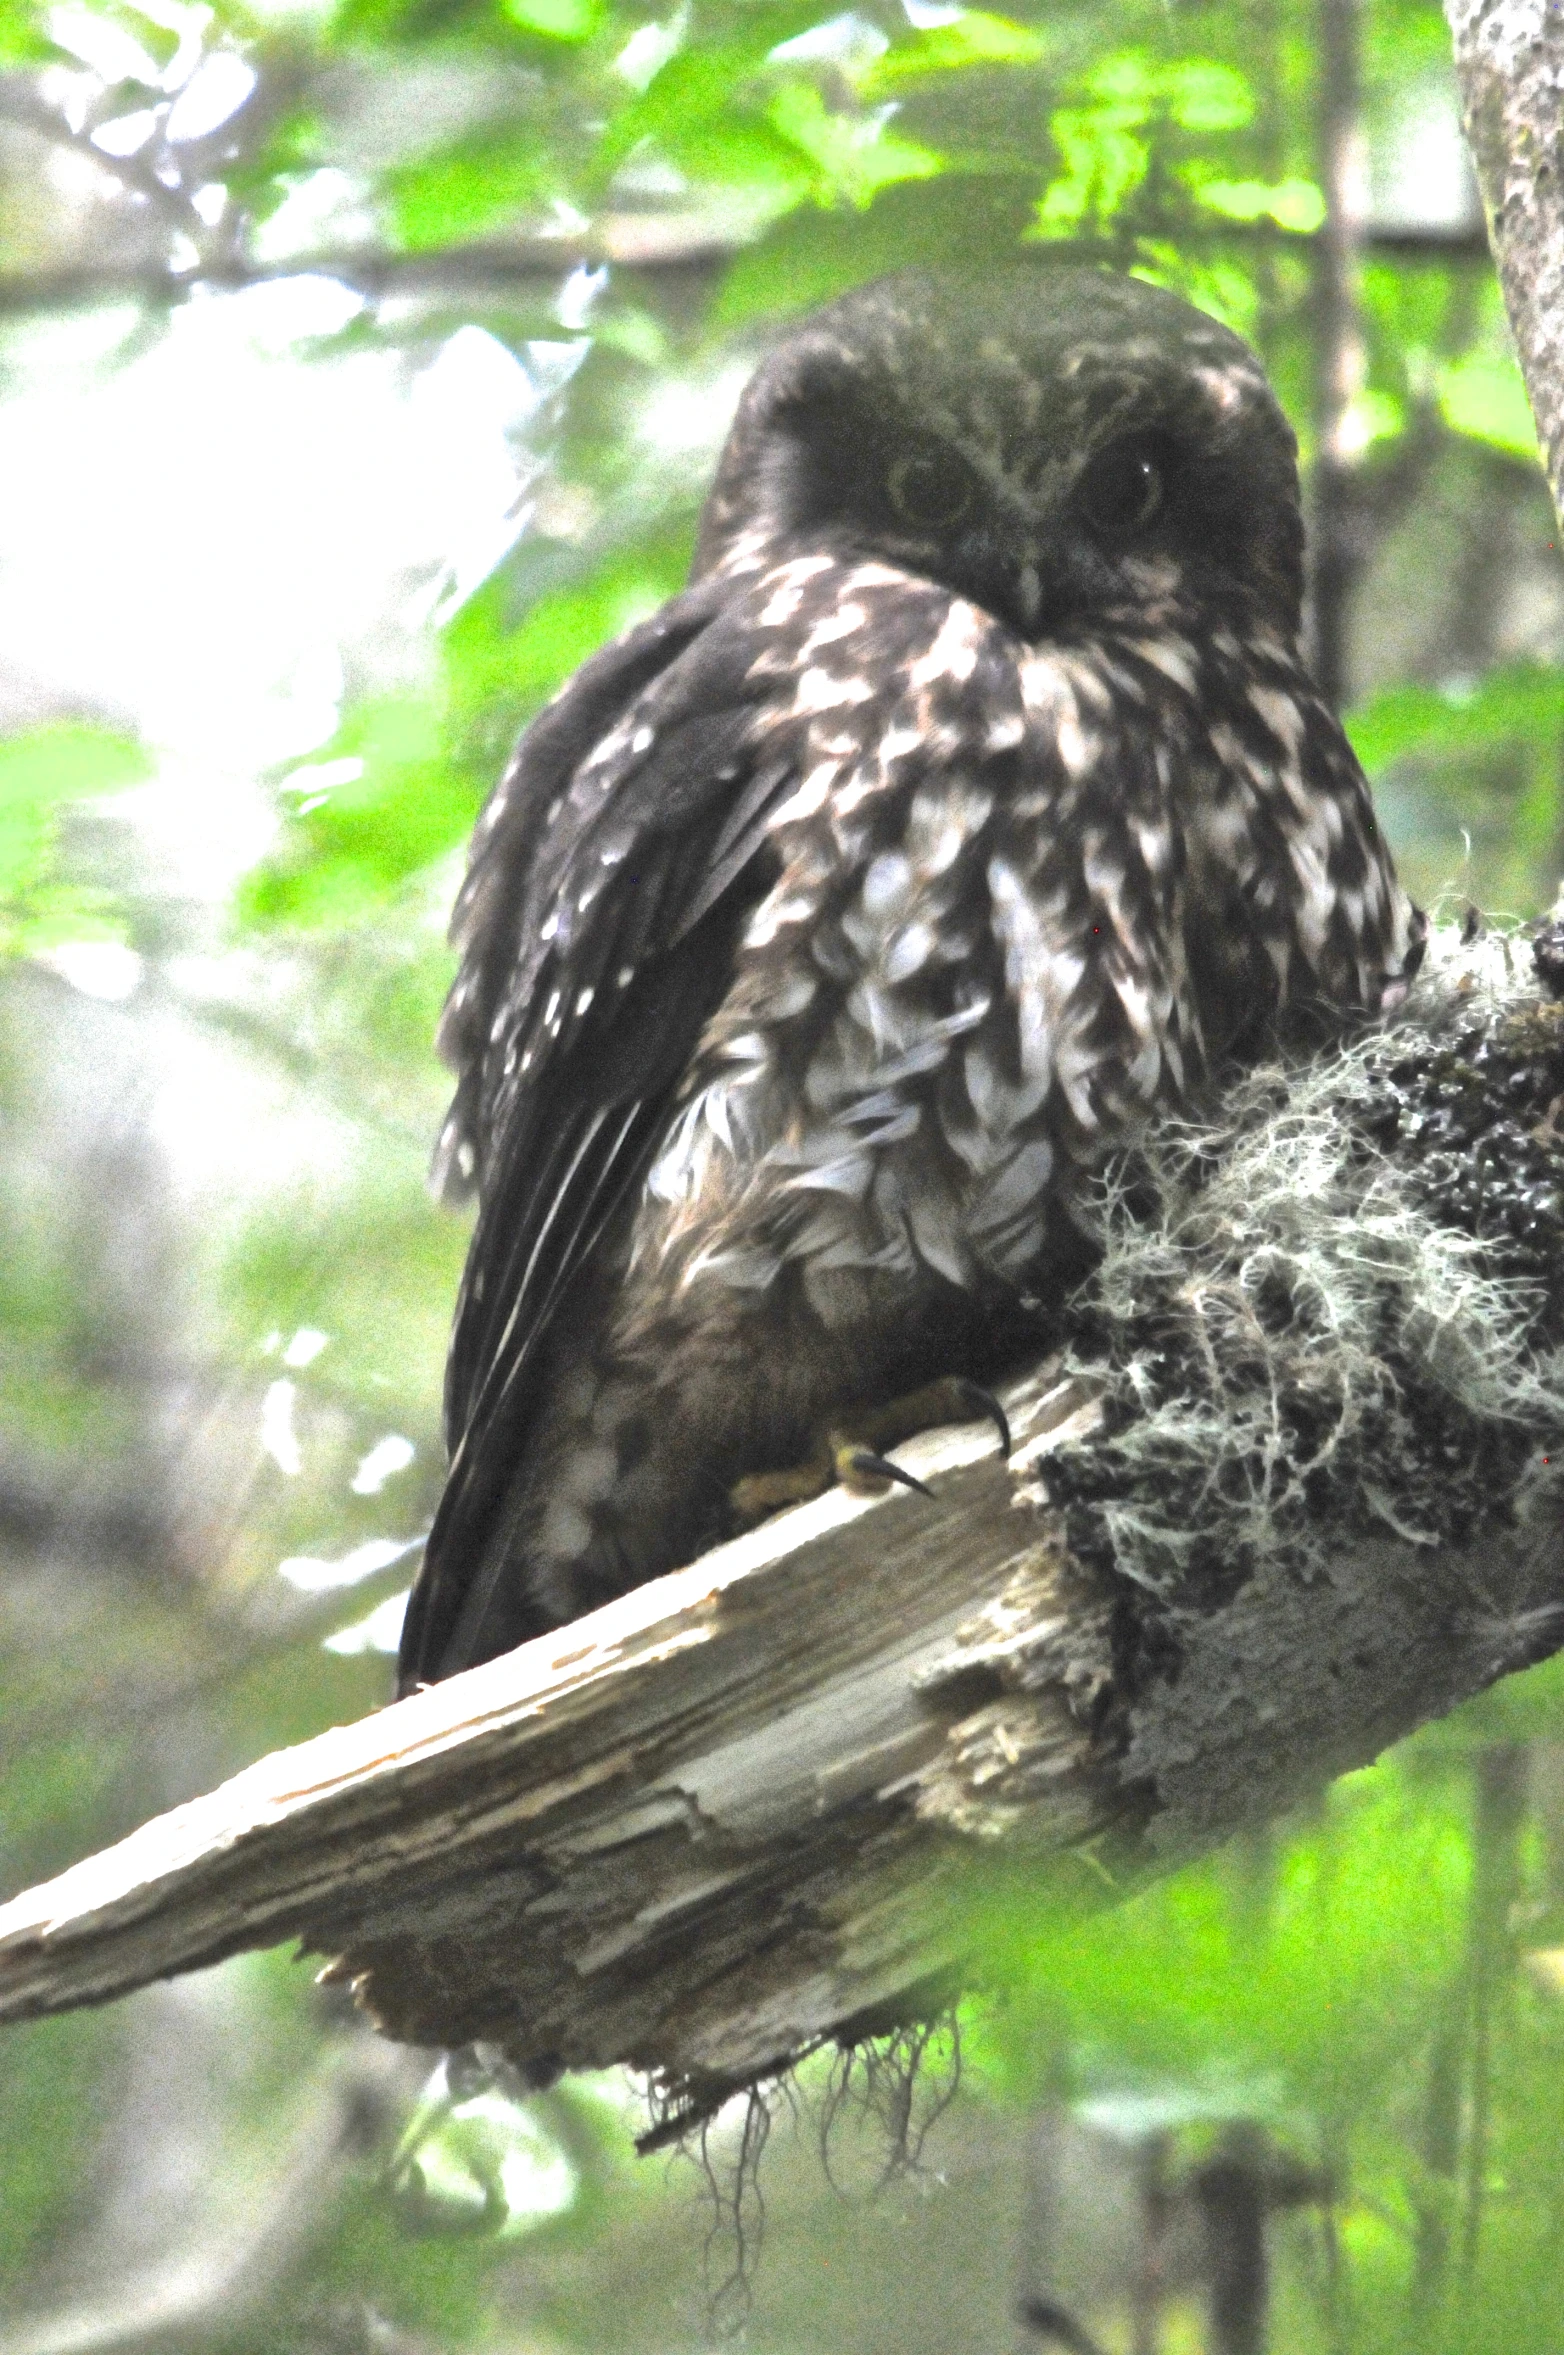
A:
(736, 1812)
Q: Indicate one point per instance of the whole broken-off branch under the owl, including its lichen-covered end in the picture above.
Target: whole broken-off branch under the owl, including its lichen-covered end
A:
(741, 1810)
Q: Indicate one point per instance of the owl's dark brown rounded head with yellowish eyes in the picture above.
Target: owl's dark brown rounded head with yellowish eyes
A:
(1059, 446)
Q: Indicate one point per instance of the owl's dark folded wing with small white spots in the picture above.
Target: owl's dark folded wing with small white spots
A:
(611, 870)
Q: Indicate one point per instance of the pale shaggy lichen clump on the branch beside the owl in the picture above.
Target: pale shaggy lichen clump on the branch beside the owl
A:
(1337, 1306)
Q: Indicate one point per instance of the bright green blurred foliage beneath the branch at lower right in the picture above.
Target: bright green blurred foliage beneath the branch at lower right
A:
(1325, 1982)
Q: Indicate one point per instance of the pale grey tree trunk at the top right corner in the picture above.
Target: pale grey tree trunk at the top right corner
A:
(1511, 65)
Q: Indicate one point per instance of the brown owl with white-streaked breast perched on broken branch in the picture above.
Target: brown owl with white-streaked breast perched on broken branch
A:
(833, 927)
